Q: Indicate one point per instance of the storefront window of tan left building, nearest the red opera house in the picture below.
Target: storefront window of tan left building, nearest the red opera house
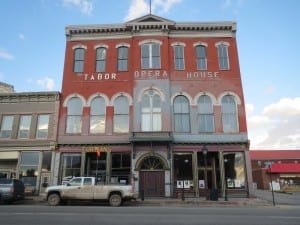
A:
(29, 170)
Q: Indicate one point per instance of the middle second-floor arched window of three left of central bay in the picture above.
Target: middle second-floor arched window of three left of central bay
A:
(97, 115)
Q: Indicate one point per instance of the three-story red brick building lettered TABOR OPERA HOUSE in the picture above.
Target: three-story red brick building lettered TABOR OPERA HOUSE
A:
(157, 103)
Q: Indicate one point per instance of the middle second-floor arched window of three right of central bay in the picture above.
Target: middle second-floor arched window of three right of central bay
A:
(205, 114)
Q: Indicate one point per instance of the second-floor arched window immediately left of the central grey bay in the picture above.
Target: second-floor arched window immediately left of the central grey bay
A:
(121, 115)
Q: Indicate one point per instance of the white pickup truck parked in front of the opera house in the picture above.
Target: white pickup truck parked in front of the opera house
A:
(85, 188)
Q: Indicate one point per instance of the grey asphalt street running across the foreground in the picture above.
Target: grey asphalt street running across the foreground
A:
(148, 215)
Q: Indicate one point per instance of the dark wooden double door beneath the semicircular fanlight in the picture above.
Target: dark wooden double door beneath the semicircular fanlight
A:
(152, 183)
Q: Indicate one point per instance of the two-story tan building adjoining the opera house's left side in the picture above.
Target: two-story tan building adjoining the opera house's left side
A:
(28, 132)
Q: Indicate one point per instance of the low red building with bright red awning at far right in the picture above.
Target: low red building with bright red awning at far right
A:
(284, 167)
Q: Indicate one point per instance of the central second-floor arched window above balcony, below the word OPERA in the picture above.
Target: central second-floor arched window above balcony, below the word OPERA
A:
(151, 111)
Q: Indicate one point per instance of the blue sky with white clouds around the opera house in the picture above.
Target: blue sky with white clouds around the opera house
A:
(32, 48)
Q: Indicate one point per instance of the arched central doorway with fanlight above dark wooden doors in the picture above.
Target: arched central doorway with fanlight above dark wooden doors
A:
(152, 176)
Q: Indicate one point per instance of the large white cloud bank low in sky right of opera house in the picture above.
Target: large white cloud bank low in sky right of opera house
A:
(277, 126)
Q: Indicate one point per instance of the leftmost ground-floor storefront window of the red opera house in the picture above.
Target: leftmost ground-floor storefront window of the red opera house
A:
(71, 166)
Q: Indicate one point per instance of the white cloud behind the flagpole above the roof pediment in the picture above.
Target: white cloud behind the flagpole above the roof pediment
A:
(139, 8)
